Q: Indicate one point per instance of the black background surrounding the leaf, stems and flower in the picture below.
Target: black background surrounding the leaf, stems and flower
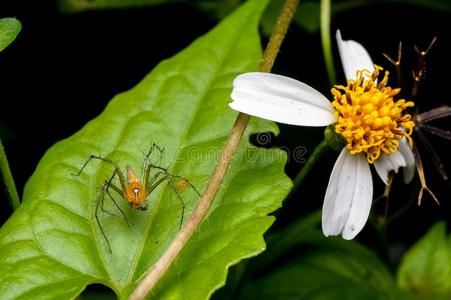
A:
(63, 69)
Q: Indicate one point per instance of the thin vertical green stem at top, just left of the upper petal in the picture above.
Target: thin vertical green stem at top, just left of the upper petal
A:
(326, 40)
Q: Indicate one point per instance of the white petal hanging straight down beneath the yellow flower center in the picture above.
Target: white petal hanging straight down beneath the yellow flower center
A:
(348, 196)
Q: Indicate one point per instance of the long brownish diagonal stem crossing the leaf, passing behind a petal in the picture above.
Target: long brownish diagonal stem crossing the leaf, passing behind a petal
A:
(157, 271)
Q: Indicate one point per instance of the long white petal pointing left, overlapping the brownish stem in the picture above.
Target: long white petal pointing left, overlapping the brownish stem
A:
(280, 99)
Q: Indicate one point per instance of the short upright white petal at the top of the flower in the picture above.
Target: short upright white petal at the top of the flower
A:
(353, 57)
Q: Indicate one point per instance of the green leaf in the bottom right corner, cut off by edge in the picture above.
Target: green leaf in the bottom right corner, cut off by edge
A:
(426, 268)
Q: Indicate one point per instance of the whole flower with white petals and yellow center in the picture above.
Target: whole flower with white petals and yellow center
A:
(365, 114)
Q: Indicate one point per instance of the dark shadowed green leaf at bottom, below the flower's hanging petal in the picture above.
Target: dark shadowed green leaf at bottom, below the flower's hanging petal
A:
(322, 268)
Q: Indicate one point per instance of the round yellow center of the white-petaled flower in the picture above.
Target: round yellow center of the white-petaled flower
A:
(368, 117)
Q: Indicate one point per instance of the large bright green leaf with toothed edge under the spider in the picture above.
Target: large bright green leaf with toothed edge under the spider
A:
(52, 246)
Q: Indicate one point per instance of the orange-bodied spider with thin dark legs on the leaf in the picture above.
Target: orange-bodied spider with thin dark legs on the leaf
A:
(133, 189)
